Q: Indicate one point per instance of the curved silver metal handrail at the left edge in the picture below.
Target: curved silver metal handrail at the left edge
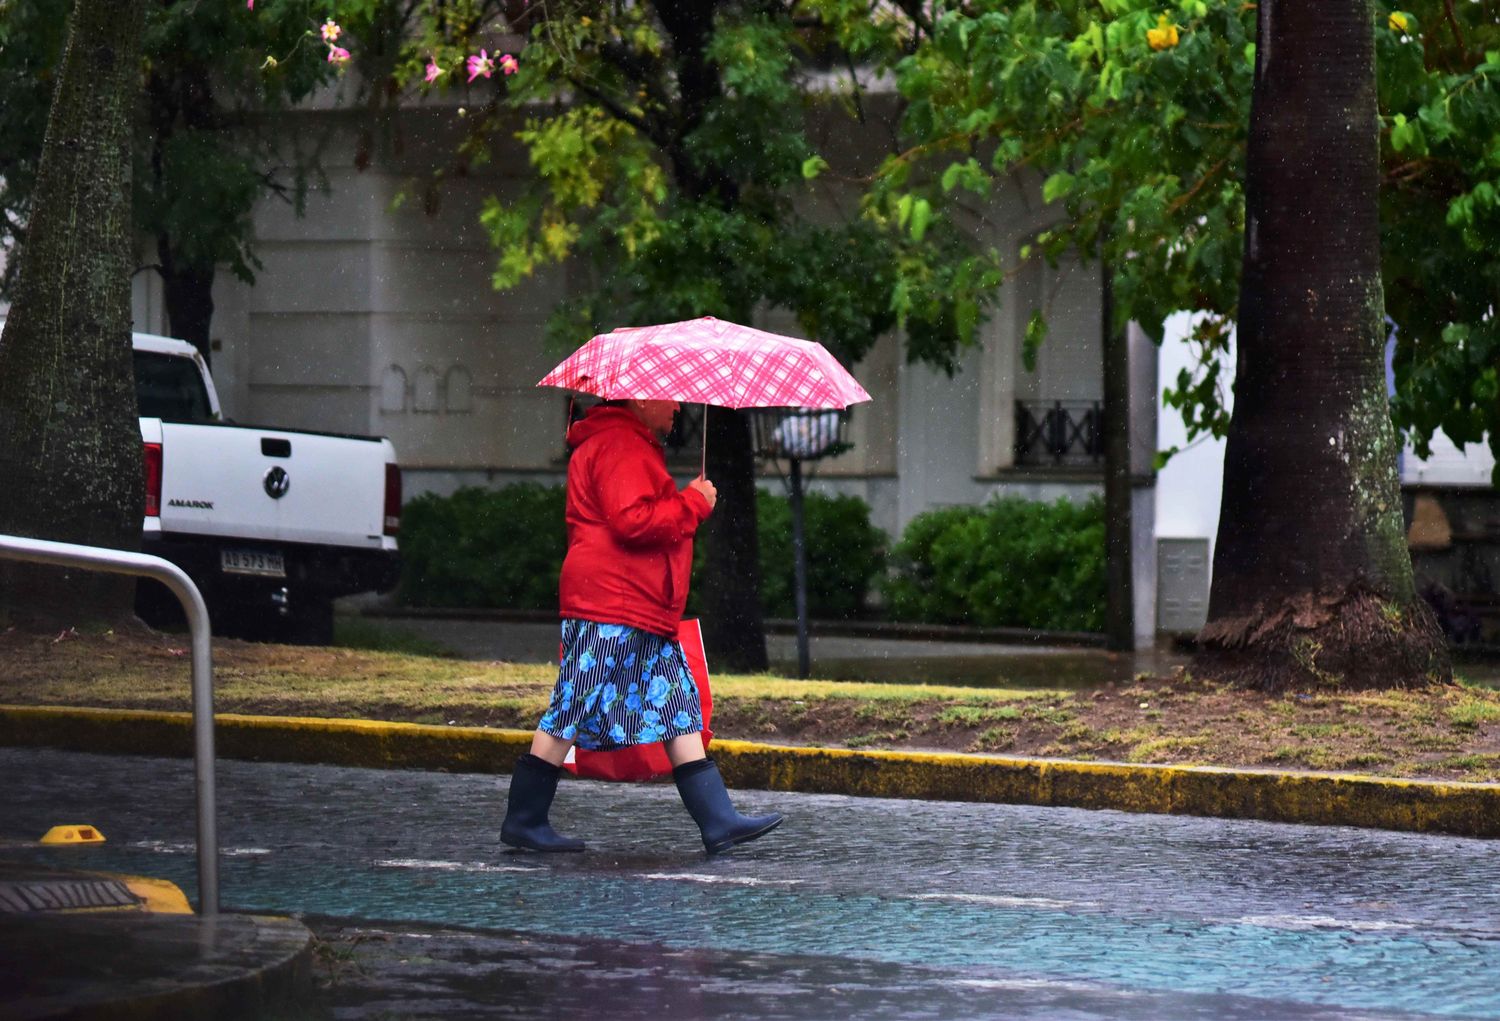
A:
(40, 551)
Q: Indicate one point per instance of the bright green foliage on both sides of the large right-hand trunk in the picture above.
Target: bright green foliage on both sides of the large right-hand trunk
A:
(1139, 155)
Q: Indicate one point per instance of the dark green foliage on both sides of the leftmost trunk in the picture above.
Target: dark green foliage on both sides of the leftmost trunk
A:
(205, 142)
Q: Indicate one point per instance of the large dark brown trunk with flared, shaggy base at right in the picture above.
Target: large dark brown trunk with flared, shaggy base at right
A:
(1312, 576)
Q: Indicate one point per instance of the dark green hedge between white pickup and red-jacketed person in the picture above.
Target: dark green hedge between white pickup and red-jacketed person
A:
(484, 548)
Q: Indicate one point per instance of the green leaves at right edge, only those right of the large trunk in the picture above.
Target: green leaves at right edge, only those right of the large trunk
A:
(1441, 221)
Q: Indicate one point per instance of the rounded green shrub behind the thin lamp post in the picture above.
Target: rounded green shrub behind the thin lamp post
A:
(845, 555)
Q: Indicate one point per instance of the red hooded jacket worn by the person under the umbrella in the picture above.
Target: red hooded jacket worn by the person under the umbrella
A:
(629, 528)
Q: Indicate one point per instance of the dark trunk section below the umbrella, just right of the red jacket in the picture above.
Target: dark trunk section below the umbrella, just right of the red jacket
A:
(734, 630)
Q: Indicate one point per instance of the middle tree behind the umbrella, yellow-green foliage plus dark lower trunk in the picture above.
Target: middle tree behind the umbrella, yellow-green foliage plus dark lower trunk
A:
(671, 149)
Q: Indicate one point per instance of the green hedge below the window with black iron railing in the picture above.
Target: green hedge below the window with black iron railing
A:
(1013, 563)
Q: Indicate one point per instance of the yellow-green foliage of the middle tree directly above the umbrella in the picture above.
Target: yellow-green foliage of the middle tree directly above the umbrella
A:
(670, 151)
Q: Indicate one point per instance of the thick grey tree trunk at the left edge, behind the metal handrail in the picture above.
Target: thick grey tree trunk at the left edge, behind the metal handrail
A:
(73, 449)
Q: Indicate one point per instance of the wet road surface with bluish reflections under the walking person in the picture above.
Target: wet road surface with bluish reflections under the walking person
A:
(856, 908)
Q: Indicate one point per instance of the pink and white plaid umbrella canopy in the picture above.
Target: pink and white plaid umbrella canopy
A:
(709, 362)
